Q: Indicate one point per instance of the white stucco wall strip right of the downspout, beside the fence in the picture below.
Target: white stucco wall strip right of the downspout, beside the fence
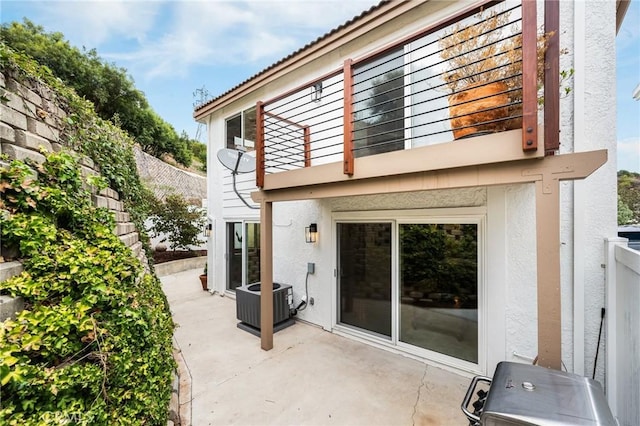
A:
(600, 205)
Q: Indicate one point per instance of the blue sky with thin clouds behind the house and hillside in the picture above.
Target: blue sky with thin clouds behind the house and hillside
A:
(172, 48)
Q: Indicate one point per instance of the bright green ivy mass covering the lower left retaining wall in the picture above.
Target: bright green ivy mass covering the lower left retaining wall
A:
(93, 345)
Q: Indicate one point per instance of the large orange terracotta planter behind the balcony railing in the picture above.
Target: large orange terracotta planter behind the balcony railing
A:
(476, 105)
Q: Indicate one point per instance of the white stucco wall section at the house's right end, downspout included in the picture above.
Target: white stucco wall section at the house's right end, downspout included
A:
(589, 206)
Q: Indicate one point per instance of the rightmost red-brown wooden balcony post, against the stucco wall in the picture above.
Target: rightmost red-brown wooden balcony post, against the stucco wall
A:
(552, 78)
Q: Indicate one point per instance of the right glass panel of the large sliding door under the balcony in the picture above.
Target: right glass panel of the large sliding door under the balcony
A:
(439, 288)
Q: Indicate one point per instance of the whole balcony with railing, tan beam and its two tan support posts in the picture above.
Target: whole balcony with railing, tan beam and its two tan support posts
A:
(407, 118)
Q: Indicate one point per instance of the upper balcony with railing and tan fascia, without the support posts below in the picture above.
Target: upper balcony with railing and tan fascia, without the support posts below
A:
(461, 92)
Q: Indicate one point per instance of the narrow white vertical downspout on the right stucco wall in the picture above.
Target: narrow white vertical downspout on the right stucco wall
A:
(579, 196)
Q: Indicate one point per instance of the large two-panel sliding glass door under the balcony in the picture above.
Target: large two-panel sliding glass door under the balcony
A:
(431, 302)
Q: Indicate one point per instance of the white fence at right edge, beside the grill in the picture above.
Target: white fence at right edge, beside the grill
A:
(623, 331)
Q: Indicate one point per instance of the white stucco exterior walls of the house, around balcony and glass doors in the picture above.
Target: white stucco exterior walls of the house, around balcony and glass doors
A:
(588, 207)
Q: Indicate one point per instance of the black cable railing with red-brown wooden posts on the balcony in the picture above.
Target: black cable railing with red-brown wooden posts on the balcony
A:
(473, 74)
